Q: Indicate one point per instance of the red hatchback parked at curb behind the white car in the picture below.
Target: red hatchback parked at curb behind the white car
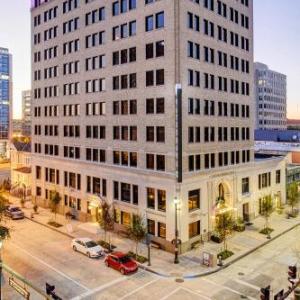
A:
(121, 262)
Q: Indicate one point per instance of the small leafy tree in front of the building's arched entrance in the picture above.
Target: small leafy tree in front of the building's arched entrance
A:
(224, 226)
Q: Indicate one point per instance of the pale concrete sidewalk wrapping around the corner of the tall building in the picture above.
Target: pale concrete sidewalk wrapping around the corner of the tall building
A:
(242, 243)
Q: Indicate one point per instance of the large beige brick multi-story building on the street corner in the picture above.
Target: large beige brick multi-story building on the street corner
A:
(141, 102)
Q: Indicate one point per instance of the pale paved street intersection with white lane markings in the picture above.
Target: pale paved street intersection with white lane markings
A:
(43, 255)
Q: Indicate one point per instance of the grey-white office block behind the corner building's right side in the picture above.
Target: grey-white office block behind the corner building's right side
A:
(270, 88)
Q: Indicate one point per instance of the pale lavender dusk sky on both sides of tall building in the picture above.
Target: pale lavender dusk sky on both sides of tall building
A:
(276, 35)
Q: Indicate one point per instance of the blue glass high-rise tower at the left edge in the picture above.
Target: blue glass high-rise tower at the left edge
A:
(5, 99)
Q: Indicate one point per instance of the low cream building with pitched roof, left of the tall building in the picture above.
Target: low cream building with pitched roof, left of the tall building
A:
(21, 177)
